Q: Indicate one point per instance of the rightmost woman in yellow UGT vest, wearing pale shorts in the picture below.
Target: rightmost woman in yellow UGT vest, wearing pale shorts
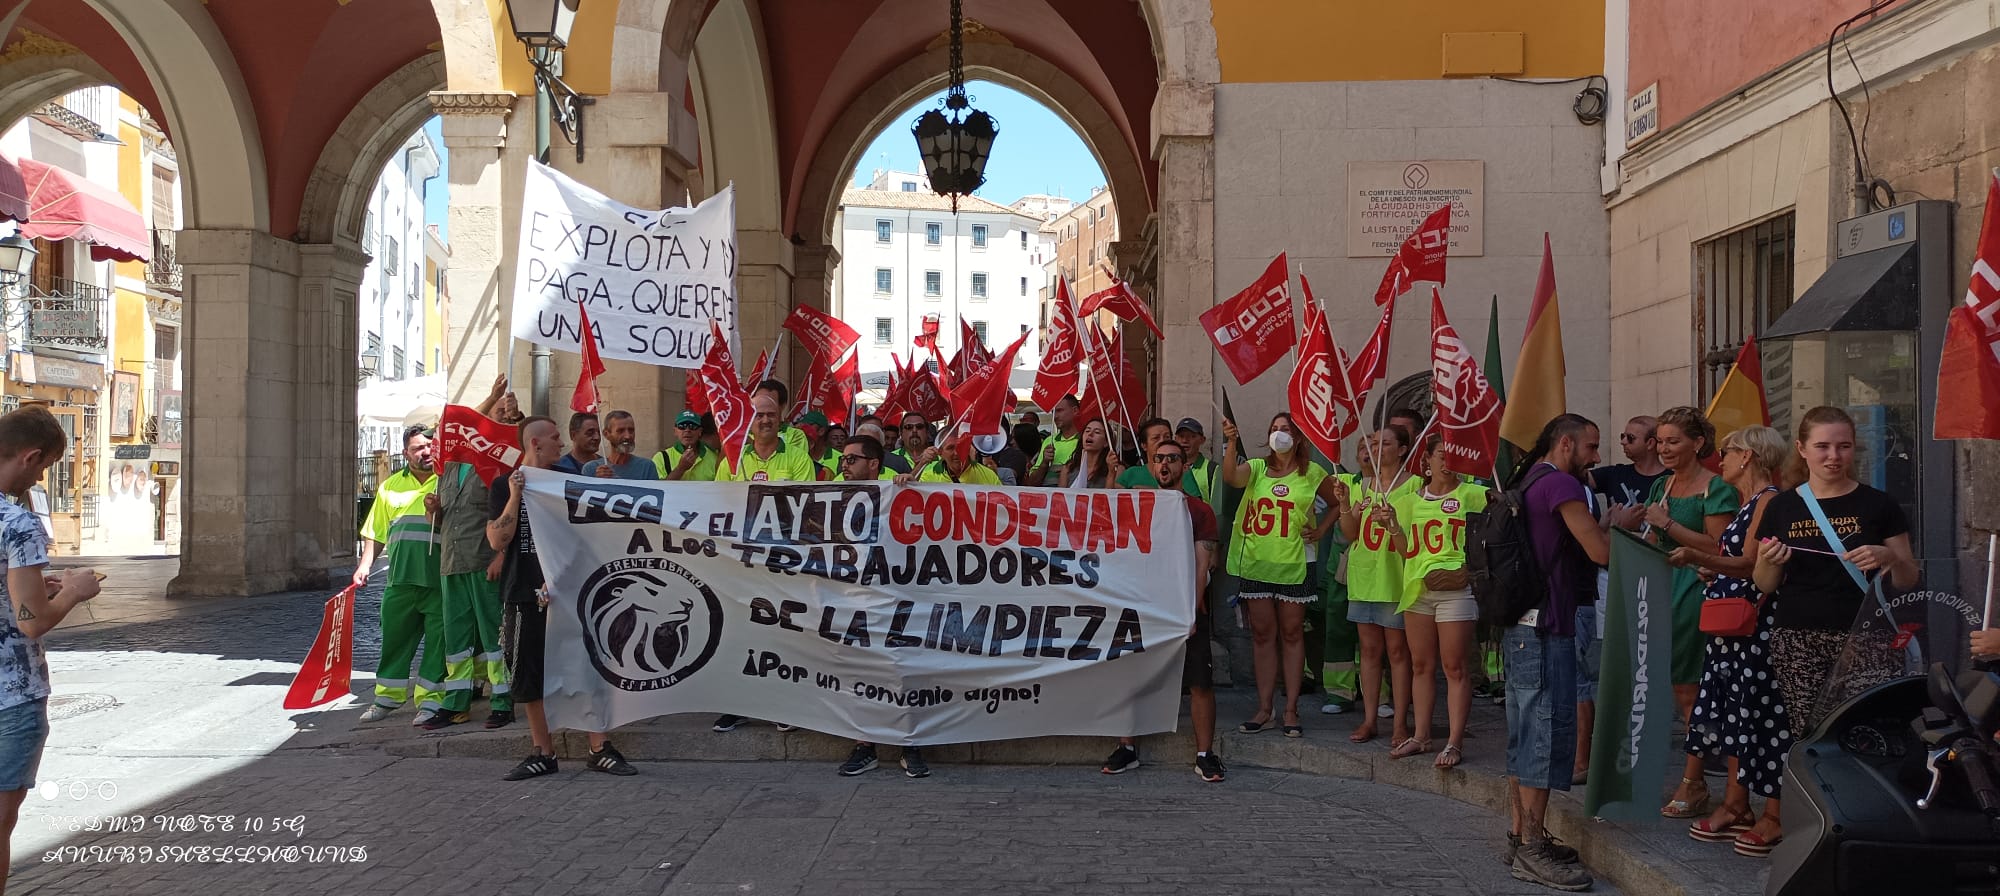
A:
(1429, 529)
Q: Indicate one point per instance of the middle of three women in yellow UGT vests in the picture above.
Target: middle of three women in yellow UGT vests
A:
(1375, 583)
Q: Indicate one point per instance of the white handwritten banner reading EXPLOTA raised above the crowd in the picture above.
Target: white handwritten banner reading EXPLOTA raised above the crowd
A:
(653, 279)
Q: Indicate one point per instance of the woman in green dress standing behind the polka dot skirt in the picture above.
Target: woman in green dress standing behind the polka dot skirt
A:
(1689, 509)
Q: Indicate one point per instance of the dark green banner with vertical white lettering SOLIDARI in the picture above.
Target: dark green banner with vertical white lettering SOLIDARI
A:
(1629, 747)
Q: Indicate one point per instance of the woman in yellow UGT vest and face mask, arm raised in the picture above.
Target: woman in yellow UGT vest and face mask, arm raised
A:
(1269, 557)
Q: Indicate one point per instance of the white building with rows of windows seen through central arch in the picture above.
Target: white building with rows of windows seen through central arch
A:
(905, 257)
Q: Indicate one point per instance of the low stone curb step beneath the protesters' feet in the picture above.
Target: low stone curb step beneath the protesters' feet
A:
(1611, 853)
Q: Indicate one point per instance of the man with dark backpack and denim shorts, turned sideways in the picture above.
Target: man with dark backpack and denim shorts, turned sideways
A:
(1529, 557)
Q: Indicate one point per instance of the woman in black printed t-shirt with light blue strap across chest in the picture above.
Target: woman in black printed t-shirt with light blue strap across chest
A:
(1815, 595)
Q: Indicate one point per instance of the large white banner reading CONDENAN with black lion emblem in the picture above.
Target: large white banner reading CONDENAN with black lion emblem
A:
(897, 615)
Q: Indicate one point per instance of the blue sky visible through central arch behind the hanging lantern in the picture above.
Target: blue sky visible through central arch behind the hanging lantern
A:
(1037, 151)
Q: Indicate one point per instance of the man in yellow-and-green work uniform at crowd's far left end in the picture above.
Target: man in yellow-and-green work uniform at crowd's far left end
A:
(413, 607)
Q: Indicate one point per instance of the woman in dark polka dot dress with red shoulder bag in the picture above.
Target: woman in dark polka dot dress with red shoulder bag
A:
(1739, 711)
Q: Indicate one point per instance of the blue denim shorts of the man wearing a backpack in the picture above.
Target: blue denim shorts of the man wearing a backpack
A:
(1541, 707)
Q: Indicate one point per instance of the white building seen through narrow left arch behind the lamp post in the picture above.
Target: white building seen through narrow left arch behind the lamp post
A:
(393, 299)
